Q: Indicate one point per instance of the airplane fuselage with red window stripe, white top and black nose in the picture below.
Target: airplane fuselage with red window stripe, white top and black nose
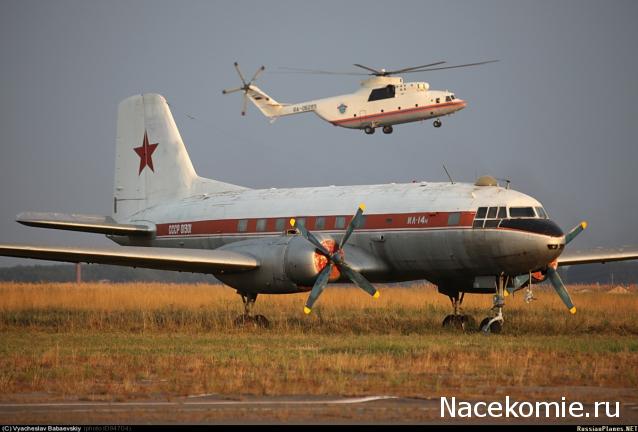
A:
(435, 231)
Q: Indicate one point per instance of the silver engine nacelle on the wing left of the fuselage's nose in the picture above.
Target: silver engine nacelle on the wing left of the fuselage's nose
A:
(288, 264)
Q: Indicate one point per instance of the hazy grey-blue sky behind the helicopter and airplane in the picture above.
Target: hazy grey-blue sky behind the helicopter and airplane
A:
(557, 115)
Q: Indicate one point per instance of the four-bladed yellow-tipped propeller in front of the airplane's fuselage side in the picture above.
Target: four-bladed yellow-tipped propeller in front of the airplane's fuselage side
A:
(335, 259)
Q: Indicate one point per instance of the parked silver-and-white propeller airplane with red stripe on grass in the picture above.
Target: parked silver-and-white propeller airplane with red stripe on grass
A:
(463, 237)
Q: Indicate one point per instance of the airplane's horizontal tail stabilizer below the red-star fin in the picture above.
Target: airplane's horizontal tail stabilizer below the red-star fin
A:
(85, 223)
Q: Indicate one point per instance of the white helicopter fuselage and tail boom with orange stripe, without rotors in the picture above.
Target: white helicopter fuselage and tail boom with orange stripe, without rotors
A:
(380, 102)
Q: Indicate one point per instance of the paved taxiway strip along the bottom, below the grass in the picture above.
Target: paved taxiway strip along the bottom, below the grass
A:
(214, 409)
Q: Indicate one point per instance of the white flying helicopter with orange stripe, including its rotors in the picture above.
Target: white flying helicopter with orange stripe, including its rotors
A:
(382, 101)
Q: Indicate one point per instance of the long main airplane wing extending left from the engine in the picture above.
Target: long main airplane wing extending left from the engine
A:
(189, 260)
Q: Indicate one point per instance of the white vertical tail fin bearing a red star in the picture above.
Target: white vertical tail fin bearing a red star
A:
(151, 162)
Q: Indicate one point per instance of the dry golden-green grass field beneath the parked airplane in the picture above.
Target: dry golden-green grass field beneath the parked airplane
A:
(134, 341)
